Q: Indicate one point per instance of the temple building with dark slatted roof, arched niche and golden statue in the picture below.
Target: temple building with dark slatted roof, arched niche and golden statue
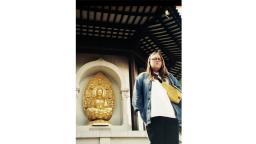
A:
(112, 46)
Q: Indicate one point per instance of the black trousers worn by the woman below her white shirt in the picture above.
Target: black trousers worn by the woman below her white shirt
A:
(163, 130)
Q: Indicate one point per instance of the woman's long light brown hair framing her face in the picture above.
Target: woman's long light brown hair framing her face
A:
(163, 72)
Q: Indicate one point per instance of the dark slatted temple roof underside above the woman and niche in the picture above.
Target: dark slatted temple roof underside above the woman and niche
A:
(146, 26)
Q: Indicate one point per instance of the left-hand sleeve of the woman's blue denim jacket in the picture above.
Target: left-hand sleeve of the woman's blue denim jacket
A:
(137, 100)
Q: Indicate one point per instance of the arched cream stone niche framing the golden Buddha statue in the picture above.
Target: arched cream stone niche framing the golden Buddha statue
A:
(119, 119)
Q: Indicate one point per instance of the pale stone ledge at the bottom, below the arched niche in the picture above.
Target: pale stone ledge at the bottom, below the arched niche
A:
(110, 135)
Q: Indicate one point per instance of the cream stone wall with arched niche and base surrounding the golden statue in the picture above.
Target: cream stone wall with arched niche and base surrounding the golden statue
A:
(116, 69)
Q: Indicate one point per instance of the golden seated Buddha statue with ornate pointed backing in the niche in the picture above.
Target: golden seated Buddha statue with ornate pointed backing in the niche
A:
(98, 100)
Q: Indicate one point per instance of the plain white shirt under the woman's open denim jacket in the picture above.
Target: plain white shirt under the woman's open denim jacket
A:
(160, 102)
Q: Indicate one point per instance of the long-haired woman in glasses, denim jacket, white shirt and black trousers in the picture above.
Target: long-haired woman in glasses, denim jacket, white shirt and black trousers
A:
(161, 116)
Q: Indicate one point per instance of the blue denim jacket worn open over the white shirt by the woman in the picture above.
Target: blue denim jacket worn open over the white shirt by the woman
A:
(141, 100)
